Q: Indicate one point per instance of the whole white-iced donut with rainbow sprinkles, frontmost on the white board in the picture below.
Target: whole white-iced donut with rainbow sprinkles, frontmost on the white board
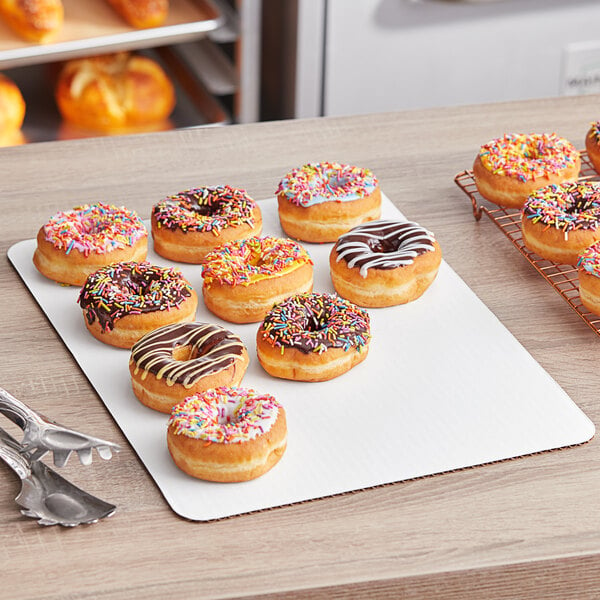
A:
(227, 434)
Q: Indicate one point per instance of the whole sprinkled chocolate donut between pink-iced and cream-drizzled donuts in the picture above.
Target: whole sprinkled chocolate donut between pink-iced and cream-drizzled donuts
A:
(124, 301)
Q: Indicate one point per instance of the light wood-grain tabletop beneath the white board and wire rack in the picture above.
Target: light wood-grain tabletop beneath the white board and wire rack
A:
(525, 528)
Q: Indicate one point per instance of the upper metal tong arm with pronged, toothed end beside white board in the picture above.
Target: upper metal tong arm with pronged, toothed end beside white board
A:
(42, 435)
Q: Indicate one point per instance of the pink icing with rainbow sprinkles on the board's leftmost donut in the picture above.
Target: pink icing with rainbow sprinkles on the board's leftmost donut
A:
(97, 228)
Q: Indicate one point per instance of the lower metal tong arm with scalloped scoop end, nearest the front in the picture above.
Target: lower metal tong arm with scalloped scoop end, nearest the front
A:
(45, 495)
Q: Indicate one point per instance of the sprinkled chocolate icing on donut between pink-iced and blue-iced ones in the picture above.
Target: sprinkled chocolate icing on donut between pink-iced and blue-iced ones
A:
(206, 209)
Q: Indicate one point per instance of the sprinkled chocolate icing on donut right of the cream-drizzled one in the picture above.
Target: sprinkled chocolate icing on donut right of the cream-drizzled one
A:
(316, 322)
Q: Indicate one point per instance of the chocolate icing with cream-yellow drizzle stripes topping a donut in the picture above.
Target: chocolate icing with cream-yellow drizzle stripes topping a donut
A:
(210, 348)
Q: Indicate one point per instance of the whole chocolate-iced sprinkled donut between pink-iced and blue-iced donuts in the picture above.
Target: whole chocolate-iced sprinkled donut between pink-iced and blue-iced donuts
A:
(187, 226)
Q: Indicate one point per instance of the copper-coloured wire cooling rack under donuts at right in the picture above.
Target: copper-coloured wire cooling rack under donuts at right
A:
(563, 278)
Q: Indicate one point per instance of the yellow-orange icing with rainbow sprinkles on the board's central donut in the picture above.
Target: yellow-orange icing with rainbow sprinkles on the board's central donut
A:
(243, 262)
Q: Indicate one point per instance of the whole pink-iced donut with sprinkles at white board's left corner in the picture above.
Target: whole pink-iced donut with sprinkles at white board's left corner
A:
(75, 243)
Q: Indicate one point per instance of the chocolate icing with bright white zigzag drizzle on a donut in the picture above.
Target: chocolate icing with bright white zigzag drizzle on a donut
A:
(383, 245)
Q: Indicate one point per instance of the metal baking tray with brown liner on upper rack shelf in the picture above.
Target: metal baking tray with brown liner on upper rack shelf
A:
(92, 26)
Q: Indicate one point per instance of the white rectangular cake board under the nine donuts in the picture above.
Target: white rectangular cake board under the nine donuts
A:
(445, 386)
